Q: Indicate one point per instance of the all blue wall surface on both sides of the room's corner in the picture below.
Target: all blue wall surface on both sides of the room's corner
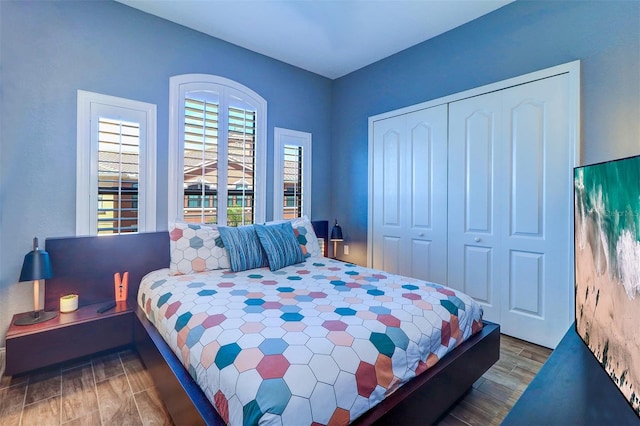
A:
(49, 50)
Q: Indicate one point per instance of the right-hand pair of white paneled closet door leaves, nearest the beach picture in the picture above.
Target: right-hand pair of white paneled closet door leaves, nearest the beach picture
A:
(509, 207)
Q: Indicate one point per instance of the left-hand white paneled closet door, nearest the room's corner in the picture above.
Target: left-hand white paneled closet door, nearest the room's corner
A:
(410, 194)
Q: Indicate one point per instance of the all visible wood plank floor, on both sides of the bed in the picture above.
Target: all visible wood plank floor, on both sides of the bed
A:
(116, 390)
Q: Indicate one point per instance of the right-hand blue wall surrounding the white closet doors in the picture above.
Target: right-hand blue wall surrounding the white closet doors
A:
(519, 38)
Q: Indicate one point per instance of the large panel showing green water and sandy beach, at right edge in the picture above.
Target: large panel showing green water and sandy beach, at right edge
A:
(607, 268)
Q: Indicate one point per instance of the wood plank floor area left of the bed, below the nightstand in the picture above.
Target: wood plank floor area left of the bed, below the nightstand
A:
(108, 390)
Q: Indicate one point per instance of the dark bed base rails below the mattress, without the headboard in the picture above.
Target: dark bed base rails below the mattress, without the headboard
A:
(420, 401)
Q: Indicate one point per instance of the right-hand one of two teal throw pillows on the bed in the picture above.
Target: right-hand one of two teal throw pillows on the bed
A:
(280, 244)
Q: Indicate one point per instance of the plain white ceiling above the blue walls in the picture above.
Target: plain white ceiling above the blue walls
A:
(328, 37)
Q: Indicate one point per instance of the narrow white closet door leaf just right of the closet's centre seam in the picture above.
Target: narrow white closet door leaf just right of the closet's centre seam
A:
(476, 224)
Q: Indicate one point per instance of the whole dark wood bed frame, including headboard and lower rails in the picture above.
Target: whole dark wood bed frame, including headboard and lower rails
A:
(85, 265)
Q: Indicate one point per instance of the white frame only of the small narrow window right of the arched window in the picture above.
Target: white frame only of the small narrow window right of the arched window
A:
(281, 138)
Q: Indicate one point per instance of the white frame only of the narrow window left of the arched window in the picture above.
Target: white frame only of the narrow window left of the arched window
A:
(91, 106)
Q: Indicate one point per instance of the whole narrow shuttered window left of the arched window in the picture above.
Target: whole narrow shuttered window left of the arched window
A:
(115, 188)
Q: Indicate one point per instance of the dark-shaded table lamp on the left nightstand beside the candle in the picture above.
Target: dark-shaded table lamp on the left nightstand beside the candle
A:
(36, 267)
